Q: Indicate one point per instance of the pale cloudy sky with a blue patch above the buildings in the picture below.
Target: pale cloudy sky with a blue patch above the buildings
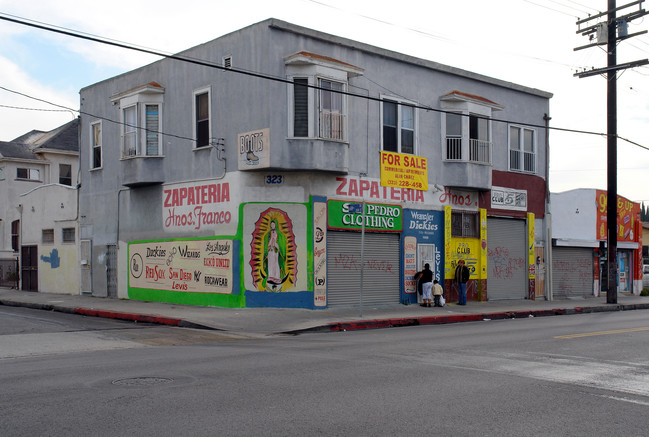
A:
(527, 42)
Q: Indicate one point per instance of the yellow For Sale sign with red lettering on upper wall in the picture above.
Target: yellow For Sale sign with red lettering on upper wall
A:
(401, 170)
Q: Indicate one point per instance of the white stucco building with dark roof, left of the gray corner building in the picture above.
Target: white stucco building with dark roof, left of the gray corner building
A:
(38, 221)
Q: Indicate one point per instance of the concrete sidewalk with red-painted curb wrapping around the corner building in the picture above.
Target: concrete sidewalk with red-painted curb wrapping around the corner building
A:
(269, 321)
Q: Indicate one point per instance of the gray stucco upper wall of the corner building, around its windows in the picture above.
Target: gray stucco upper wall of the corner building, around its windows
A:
(241, 103)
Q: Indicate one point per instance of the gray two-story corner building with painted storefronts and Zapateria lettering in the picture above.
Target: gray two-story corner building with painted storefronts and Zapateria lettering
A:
(252, 169)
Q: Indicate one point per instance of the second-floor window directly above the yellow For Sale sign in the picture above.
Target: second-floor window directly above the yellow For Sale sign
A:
(398, 121)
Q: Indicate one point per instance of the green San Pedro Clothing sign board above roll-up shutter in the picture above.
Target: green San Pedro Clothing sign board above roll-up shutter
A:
(378, 217)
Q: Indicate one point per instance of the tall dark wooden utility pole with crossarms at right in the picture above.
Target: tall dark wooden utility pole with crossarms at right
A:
(609, 33)
